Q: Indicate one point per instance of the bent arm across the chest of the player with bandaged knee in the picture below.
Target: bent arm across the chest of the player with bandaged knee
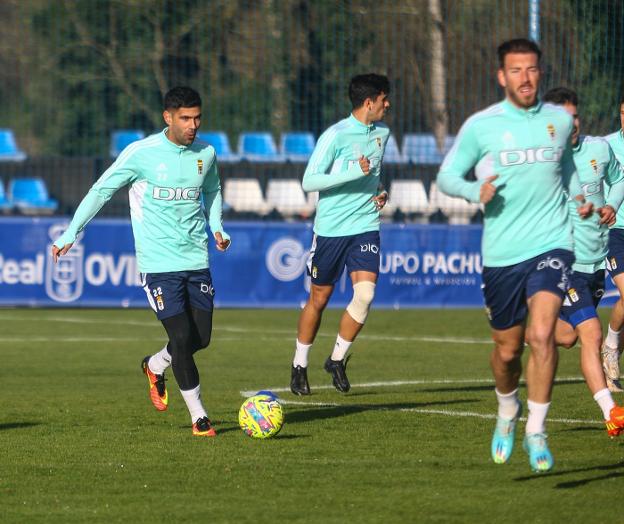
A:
(317, 176)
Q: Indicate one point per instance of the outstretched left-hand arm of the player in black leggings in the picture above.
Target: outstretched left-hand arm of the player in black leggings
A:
(119, 174)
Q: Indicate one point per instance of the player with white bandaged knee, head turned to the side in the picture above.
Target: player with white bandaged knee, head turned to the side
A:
(345, 169)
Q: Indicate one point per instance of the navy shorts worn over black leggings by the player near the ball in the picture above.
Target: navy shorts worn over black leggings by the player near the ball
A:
(170, 294)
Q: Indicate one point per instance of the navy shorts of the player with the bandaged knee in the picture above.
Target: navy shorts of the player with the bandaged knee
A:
(330, 255)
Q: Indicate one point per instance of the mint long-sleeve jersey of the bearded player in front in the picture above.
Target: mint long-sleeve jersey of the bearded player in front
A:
(530, 151)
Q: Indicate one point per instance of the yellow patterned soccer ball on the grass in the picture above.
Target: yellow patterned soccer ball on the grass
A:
(261, 415)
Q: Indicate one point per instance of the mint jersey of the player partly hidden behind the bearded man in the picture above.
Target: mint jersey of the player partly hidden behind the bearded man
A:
(599, 173)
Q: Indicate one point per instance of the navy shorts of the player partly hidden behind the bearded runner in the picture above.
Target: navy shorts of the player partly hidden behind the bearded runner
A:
(581, 301)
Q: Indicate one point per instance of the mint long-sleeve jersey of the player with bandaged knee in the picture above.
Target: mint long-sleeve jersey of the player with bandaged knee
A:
(345, 204)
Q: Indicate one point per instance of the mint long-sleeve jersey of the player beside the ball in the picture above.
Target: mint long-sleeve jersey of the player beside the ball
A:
(167, 184)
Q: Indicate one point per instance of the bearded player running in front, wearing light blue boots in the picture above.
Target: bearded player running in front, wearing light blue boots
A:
(523, 147)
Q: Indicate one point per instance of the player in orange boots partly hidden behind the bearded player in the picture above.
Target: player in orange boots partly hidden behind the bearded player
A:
(602, 180)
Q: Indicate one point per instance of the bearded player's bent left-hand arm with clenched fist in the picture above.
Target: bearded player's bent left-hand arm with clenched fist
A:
(461, 158)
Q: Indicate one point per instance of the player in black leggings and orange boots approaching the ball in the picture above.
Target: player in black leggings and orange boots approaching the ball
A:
(173, 184)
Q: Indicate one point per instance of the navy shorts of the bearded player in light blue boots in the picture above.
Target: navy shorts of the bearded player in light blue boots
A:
(507, 289)
